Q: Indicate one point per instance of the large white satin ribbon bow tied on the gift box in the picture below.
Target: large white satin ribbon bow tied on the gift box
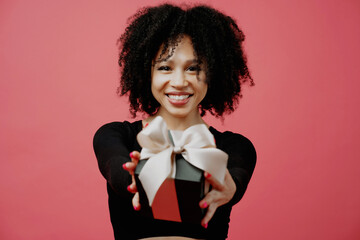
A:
(196, 144)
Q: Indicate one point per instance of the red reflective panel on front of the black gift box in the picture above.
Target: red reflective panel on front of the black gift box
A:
(165, 205)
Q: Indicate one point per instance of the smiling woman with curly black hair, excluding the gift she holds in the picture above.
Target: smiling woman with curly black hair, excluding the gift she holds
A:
(176, 63)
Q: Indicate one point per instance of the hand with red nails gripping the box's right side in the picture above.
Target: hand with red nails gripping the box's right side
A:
(220, 194)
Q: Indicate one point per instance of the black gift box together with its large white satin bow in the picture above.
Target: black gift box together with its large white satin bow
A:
(170, 175)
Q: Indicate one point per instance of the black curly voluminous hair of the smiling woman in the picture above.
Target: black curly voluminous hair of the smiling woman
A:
(217, 41)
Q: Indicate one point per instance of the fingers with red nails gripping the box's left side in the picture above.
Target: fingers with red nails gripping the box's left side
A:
(130, 167)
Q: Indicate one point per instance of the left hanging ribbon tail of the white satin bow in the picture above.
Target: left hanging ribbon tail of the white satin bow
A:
(154, 173)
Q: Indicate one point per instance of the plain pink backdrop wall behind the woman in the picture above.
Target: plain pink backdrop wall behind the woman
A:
(58, 79)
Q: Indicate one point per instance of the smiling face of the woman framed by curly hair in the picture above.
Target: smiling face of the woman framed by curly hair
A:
(178, 83)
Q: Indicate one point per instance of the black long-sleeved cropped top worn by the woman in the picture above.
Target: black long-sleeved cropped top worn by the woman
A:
(113, 143)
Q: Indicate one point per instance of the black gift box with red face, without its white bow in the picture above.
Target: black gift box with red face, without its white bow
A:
(178, 198)
